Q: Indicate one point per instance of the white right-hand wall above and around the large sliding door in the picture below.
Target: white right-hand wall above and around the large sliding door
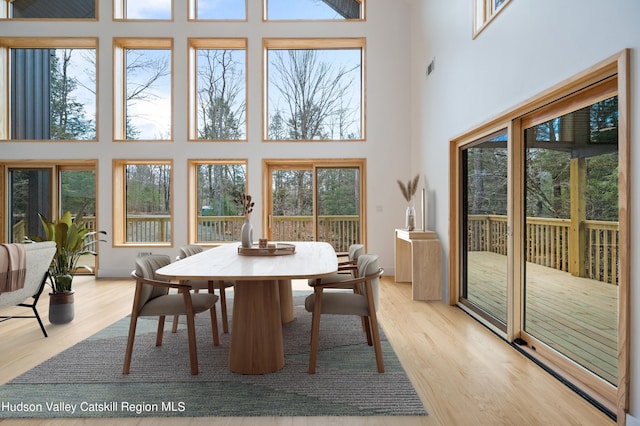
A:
(531, 46)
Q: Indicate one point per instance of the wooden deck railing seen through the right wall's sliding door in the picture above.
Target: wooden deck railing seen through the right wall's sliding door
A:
(548, 243)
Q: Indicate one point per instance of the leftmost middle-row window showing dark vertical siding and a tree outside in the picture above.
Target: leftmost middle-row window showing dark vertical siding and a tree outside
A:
(52, 89)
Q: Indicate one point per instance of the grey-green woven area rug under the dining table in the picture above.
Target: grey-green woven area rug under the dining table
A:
(86, 380)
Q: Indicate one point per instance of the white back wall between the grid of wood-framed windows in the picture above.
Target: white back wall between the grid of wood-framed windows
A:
(388, 129)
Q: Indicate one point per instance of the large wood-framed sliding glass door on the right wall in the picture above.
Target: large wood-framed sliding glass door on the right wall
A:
(540, 241)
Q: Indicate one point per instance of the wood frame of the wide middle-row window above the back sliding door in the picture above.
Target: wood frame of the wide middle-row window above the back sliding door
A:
(344, 43)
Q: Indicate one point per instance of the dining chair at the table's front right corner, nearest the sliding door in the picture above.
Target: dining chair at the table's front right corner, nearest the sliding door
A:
(363, 304)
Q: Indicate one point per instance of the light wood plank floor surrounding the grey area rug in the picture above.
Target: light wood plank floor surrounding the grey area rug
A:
(464, 373)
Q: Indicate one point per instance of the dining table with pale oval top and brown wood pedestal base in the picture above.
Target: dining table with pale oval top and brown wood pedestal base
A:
(262, 295)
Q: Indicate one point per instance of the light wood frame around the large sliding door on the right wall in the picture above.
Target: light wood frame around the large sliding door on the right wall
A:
(617, 66)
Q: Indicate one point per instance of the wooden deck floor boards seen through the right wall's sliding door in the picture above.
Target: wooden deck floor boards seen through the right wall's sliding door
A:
(575, 316)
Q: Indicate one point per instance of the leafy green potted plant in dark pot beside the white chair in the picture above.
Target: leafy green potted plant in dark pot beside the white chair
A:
(73, 240)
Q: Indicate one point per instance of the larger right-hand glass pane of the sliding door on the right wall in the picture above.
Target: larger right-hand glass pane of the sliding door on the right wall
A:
(571, 235)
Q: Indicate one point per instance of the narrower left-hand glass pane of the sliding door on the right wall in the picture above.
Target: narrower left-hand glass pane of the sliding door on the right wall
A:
(484, 249)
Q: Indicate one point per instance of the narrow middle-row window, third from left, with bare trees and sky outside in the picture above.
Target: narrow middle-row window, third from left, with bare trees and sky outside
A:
(218, 89)
